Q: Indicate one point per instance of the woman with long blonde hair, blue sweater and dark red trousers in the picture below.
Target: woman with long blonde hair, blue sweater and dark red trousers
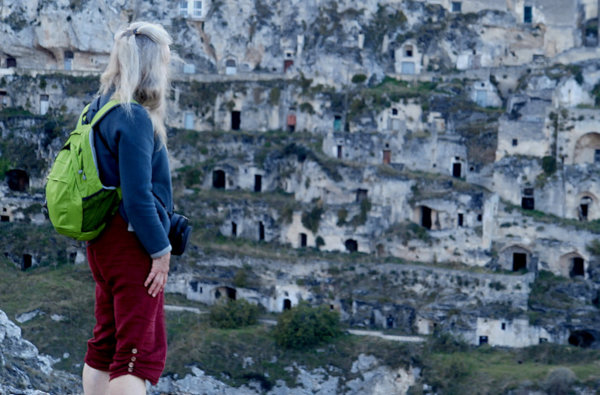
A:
(130, 259)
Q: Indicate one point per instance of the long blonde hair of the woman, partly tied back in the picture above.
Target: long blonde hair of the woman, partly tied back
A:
(138, 69)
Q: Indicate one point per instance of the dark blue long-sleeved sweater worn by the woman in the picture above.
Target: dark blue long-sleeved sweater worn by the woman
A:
(136, 160)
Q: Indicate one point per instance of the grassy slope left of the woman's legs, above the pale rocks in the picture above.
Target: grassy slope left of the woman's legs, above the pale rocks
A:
(66, 291)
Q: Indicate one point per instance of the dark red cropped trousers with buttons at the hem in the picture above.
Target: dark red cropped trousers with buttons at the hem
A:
(130, 334)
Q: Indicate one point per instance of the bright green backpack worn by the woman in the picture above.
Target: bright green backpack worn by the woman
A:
(79, 206)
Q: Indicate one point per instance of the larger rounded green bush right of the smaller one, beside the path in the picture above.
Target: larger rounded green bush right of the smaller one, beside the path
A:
(305, 326)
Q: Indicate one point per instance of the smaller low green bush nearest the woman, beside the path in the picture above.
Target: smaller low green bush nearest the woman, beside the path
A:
(233, 314)
